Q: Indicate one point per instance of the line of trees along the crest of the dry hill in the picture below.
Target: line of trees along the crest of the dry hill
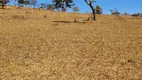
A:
(62, 5)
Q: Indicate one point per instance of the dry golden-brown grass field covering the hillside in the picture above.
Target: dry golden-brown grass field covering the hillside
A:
(45, 45)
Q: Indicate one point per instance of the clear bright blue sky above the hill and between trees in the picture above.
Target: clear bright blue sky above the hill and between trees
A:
(129, 6)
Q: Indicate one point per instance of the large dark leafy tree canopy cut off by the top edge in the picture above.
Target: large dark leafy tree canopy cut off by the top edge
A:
(63, 4)
